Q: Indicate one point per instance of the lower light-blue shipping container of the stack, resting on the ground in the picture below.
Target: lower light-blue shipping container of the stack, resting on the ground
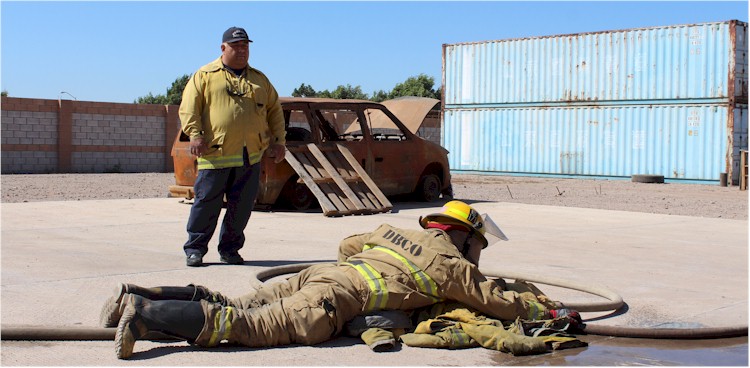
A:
(677, 141)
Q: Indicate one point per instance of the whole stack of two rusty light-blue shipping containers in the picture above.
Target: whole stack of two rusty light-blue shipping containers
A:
(668, 101)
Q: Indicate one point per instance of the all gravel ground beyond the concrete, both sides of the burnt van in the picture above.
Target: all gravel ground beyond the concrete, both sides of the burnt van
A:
(673, 199)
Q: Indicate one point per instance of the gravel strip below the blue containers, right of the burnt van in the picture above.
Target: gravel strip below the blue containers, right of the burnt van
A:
(700, 200)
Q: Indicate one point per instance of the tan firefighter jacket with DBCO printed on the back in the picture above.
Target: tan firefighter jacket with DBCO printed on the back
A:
(408, 269)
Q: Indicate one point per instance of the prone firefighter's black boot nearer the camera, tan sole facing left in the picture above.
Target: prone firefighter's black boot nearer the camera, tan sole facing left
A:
(178, 318)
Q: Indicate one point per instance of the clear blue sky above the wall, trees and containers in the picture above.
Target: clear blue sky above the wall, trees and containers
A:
(119, 51)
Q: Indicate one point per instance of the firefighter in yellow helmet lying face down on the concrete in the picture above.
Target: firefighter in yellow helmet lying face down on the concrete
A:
(387, 269)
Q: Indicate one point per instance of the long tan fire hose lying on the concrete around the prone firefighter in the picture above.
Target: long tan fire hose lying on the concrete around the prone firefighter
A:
(612, 302)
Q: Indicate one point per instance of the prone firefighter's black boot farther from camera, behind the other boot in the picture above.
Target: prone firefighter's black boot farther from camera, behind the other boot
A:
(113, 307)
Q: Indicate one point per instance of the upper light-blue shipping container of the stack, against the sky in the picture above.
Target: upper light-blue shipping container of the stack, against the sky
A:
(705, 62)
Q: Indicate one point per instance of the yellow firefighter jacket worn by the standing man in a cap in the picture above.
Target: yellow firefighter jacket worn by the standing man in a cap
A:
(231, 113)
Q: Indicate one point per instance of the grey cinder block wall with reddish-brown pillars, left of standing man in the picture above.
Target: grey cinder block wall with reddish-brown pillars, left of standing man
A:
(51, 136)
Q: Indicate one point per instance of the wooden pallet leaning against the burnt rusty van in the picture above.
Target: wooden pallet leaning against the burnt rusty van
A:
(334, 176)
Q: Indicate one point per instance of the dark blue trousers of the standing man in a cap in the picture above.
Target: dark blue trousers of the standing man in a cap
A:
(240, 184)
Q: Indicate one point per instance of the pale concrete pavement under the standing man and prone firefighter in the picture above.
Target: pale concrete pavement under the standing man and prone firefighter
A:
(61, 260)
